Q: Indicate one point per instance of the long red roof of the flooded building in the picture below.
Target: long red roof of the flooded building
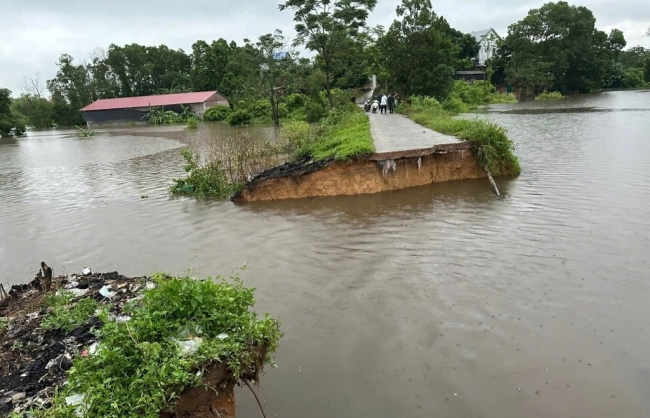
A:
(156, 100)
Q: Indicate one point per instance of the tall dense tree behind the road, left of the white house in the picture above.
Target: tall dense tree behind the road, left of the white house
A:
(420, 51)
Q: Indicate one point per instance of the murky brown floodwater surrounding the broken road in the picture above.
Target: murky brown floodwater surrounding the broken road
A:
(439, 301)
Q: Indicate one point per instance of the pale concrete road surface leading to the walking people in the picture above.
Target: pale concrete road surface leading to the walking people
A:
(394, 132)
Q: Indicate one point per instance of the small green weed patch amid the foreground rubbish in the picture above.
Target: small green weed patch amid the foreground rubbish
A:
(65, 318)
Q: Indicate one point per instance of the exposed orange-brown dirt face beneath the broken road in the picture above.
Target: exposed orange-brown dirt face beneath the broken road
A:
(381, 172)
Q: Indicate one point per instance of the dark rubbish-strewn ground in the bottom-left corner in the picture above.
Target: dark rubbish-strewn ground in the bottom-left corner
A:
(34, 358)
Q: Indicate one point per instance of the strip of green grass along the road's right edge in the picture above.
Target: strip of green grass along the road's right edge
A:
(493, 150)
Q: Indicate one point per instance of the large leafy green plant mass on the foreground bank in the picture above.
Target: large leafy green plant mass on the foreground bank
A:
(139, 369)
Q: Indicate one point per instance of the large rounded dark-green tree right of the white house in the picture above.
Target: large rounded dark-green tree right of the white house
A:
(565, 38)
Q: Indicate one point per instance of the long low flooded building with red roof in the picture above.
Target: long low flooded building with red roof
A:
(123, 110)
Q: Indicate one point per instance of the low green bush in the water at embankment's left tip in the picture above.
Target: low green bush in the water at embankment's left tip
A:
(204, 178)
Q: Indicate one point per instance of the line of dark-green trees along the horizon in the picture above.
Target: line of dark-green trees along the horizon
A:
(556, 47)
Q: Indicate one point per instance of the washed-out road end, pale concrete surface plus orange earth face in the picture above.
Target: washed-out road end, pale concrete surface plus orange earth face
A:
(407, 155)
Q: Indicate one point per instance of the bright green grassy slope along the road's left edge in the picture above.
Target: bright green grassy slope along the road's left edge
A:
(344, 134)
